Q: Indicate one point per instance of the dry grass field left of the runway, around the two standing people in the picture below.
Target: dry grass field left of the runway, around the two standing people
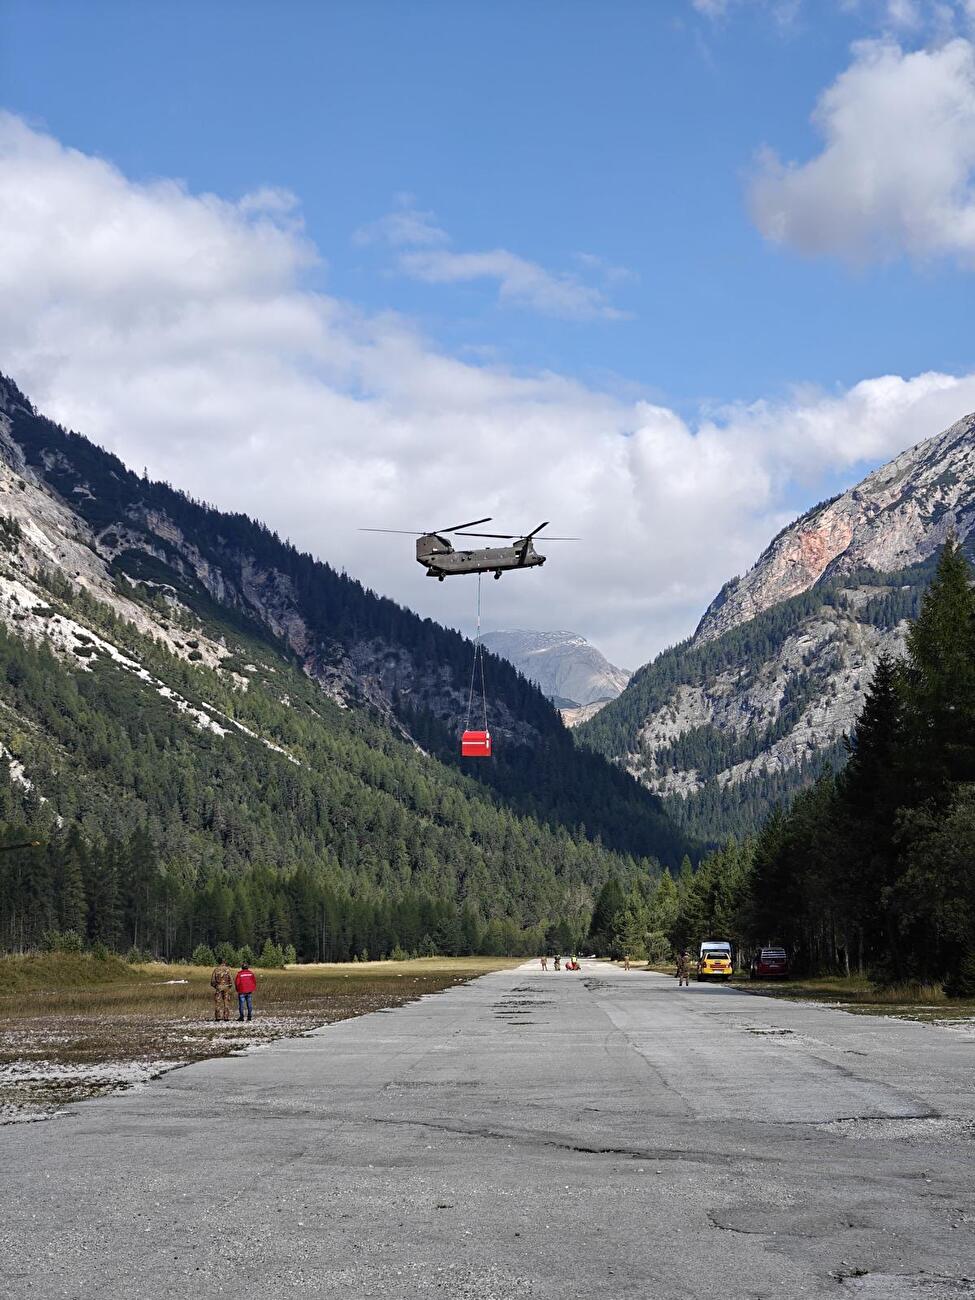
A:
(73, 1026)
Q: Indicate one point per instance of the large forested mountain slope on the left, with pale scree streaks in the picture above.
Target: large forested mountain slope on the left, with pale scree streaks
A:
(219, 738)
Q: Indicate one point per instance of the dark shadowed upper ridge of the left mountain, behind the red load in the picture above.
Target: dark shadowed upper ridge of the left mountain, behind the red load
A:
(366, 651)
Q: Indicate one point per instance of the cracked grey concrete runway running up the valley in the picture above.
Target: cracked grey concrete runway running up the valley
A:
(527, 1136)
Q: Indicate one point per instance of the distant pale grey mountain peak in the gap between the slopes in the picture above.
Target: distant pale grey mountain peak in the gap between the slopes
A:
(570, 671)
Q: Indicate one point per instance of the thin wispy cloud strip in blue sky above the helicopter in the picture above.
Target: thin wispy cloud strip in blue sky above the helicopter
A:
(423, 254)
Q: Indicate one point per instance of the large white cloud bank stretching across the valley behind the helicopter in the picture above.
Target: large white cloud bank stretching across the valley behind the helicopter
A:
(177, 331)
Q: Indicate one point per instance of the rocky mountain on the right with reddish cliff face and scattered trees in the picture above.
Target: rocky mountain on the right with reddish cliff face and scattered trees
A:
(752, 707)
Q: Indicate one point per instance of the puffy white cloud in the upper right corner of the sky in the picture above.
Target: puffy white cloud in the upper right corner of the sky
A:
(898, 167)
